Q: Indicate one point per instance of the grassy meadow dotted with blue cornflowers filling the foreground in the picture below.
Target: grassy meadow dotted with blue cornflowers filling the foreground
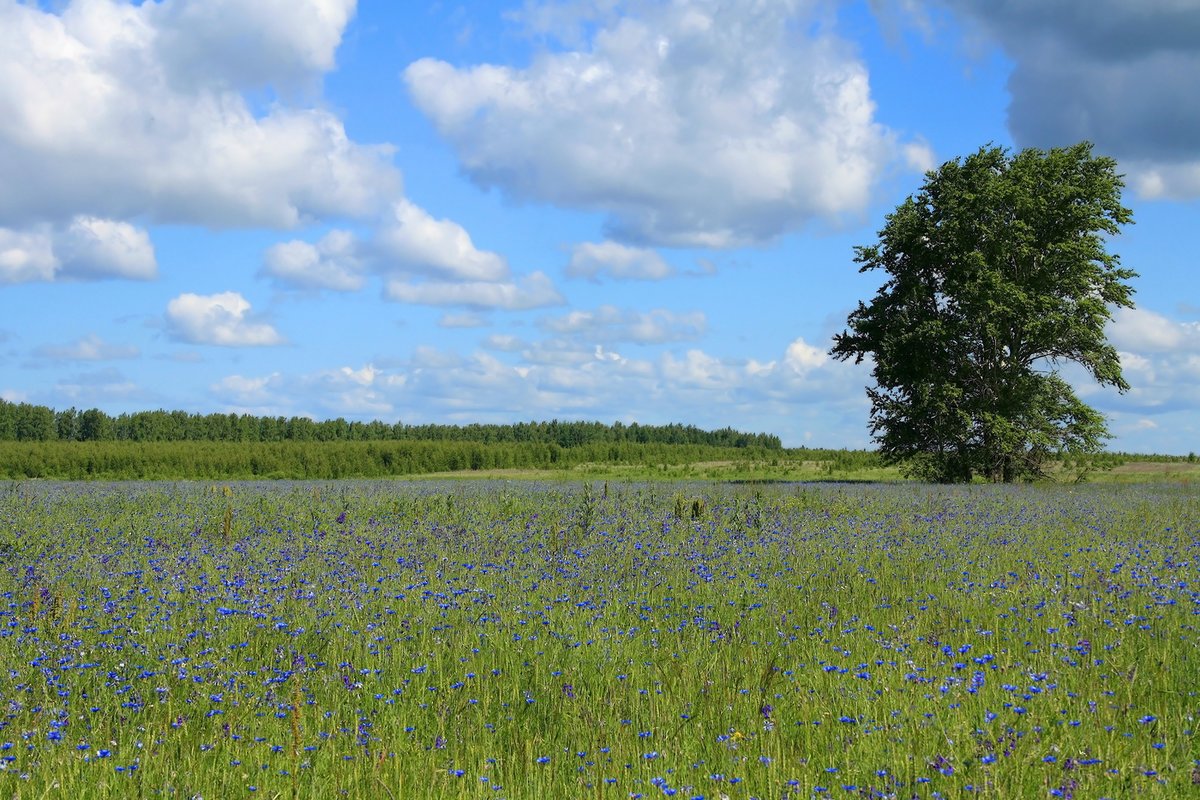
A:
(585, 640)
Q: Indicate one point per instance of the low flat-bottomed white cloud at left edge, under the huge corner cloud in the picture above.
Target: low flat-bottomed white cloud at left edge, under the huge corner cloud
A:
(86, 249)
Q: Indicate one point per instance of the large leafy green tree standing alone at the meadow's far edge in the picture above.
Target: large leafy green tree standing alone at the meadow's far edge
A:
(999, 274)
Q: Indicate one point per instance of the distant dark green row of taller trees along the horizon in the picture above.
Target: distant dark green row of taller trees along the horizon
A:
(29, 423)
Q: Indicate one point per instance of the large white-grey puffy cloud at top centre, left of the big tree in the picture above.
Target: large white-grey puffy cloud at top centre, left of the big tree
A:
(713, 123)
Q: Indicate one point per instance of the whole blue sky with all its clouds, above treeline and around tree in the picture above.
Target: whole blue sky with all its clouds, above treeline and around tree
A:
(499, 212)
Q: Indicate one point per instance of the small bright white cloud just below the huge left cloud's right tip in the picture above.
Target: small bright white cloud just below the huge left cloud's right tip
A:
(413, 242)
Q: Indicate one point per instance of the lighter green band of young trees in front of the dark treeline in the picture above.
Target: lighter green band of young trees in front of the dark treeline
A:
(332, 460)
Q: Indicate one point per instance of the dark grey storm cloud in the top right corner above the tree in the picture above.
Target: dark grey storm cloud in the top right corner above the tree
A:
(1107, 71)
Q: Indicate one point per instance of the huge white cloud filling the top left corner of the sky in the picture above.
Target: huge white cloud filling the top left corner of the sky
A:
(115, 111)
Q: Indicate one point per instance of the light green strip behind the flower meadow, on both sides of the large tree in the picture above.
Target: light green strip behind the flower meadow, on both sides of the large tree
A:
(626, 461)
